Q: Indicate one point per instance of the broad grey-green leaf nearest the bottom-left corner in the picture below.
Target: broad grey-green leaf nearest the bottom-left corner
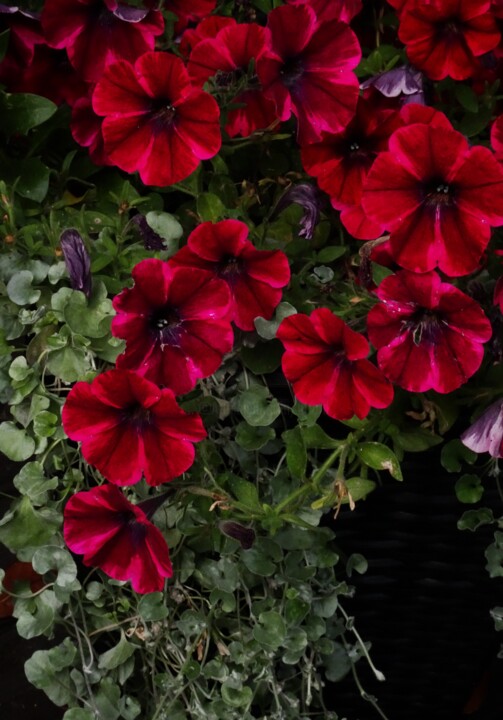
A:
(48, 671)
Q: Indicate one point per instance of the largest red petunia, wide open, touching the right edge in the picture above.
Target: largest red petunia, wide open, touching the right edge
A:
(437, 196)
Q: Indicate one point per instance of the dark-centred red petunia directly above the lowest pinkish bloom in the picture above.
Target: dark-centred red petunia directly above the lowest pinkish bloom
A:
(128, 428)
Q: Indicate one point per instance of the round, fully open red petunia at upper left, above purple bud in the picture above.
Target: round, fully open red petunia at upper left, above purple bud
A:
(156, 122)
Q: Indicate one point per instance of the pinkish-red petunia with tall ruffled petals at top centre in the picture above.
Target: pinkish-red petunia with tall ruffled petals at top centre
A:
(309, 70)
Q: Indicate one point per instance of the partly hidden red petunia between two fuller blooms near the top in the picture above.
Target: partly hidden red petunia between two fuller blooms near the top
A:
(226, 58)
